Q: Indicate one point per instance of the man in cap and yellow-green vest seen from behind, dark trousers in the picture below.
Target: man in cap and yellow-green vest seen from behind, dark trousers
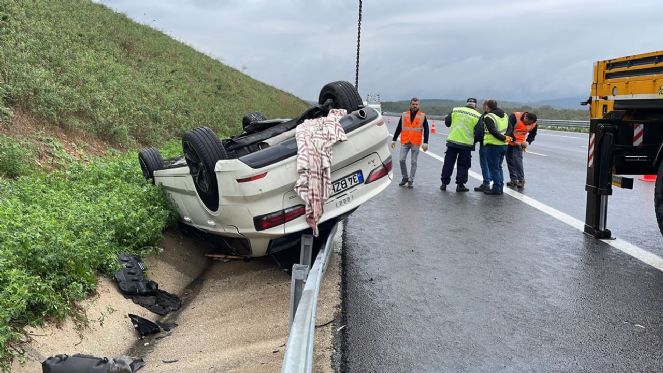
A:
(460, 144)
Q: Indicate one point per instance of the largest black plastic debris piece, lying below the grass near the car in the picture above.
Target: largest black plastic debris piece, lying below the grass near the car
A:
(132, 282)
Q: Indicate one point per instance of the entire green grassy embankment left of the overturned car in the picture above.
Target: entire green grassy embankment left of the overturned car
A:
(72, 71)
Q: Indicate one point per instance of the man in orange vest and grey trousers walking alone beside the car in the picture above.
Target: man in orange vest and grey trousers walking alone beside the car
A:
(413, 129)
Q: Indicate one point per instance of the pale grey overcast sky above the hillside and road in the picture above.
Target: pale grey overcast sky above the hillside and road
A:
(515, 50)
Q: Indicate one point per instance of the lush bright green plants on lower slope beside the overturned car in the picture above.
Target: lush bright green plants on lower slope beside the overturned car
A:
(58, 231)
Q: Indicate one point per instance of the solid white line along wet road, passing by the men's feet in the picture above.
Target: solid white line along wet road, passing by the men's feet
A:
(619, 244)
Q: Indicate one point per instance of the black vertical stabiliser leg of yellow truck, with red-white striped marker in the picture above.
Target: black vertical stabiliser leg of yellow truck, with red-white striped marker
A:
(599, 178)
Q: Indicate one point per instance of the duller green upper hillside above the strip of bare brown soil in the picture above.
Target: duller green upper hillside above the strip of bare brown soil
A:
(82, 66)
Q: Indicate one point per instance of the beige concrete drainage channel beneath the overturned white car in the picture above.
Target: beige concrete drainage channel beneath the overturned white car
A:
(234, 316)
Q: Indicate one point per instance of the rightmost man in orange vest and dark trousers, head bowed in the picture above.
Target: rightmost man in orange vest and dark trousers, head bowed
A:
(523, 124)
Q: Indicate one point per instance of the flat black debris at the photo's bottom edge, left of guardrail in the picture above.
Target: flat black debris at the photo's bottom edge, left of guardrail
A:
(80, 363)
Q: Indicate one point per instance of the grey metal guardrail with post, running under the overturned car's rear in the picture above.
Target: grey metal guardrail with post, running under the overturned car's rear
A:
(303, 305)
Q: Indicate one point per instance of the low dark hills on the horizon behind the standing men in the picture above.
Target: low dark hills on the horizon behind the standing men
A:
(444, 106)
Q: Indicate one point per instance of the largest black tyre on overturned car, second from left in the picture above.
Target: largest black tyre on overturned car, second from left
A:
(202, 149)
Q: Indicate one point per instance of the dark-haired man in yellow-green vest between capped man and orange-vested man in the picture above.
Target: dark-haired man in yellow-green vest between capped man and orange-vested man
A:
(496, 136)
